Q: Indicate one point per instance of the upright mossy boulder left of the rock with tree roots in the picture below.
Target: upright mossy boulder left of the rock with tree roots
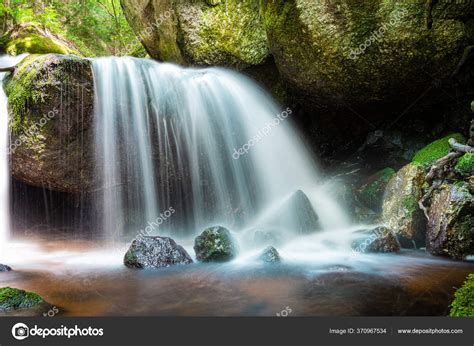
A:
(401, 213)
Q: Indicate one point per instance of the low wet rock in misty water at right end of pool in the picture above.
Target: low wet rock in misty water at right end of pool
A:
(379, 239)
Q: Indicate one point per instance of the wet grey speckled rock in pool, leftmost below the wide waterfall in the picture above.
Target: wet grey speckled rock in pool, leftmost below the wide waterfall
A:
(155, 252)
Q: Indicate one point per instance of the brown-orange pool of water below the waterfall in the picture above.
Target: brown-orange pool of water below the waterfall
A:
(81, 279)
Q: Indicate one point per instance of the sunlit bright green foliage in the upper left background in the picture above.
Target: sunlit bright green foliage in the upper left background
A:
(96, 27)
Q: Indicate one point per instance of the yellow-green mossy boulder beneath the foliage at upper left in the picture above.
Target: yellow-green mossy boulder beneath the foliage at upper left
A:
(30, 38)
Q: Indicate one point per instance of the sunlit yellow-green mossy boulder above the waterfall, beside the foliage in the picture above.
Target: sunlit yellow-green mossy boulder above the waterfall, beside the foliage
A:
(200, 32)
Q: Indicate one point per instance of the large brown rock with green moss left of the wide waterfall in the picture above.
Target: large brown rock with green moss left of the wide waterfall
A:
(51, 106)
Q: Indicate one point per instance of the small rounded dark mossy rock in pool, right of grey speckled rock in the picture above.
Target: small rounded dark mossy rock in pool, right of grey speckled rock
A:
(215, 244)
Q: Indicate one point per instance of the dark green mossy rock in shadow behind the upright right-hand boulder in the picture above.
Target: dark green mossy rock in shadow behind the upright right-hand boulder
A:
(371, 193)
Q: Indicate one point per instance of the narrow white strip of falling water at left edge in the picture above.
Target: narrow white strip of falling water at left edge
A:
(5, 177)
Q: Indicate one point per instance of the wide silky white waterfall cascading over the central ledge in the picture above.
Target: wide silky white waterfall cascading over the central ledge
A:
(209, 144)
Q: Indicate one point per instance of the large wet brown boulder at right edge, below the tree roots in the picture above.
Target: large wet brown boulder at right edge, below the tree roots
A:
(450, 230)
